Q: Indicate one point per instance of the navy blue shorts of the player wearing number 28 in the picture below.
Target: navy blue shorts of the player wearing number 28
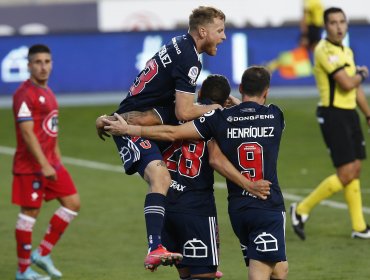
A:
(196, 237)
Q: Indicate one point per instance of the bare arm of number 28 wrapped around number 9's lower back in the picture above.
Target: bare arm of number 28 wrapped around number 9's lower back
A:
(222, 165)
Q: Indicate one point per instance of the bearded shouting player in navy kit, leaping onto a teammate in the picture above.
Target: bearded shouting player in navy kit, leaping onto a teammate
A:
(169, 76)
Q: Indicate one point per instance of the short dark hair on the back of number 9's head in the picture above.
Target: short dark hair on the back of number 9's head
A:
(255, 80)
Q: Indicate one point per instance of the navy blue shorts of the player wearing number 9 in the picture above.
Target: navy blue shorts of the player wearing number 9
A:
(261, 234)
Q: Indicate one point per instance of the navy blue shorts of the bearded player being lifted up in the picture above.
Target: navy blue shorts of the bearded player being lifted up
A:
(136, 153)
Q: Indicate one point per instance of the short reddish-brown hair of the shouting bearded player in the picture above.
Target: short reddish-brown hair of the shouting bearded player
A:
(204, 15)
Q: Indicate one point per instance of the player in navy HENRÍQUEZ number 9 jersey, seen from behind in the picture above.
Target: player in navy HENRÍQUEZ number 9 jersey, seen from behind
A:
(249, 135)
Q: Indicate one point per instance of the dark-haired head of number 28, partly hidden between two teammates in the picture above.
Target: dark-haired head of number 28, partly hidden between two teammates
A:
(216, 88)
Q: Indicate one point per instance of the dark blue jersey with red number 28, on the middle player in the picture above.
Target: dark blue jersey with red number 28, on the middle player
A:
(191, 190)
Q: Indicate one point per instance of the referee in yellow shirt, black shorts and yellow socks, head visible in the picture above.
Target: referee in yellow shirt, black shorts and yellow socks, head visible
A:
(339, 83)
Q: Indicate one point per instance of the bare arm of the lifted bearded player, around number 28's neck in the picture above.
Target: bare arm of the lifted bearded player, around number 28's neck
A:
(186, 109)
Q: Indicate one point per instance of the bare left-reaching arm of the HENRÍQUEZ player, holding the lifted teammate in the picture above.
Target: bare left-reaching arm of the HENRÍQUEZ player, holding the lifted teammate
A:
(158, 132)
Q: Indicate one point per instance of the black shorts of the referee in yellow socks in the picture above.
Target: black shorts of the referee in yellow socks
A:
(342, 133)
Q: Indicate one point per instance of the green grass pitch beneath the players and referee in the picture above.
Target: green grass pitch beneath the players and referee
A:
(107, 240)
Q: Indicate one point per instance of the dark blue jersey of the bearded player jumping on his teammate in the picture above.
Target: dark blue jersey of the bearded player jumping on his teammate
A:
(175, 67)
